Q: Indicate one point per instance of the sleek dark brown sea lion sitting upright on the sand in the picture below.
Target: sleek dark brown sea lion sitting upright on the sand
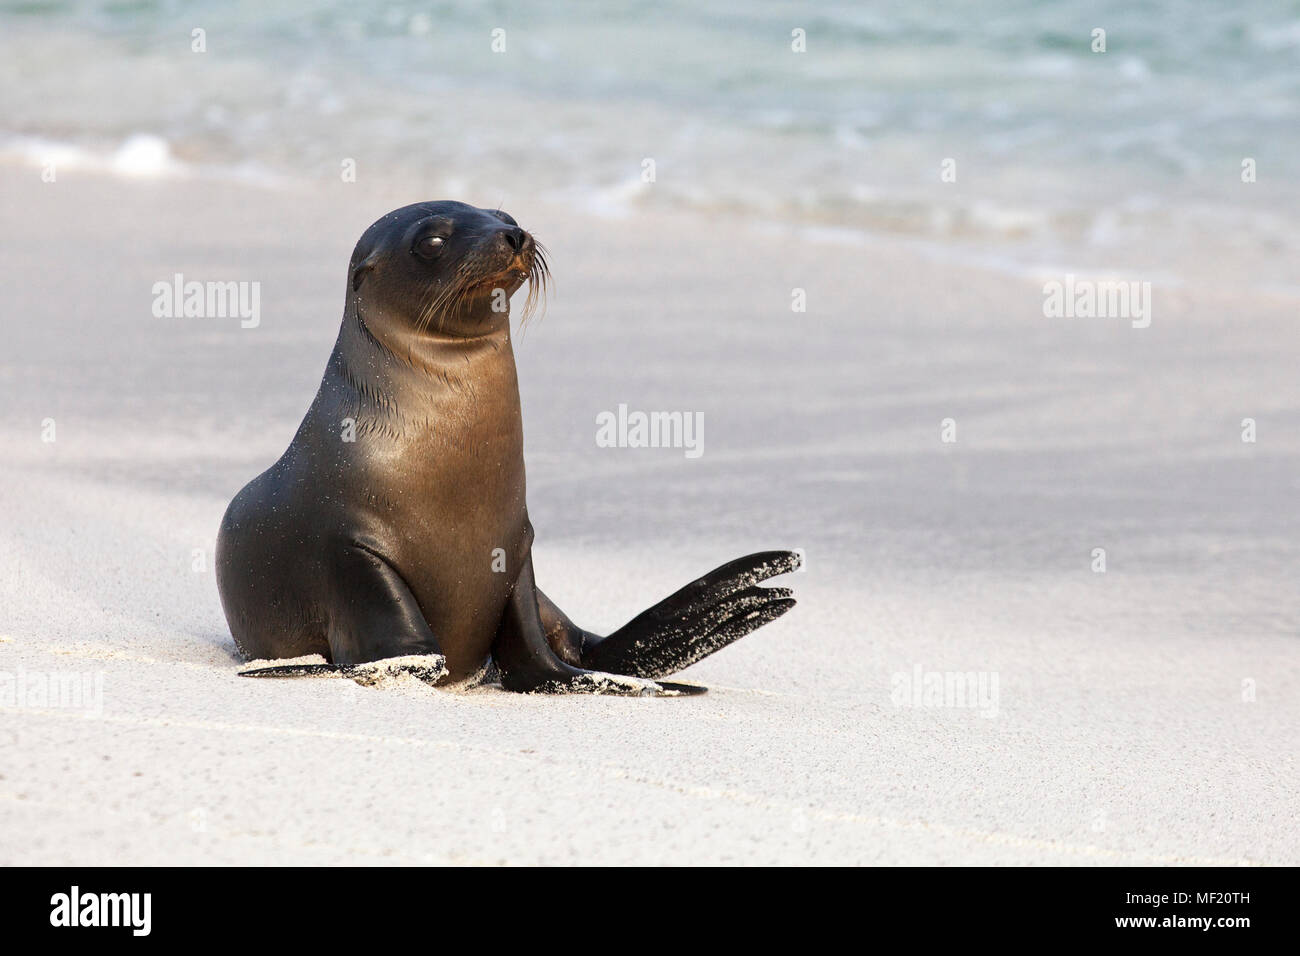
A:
(393, 534)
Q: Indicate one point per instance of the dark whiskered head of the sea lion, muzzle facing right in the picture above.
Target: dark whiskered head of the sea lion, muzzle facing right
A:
(445, 269)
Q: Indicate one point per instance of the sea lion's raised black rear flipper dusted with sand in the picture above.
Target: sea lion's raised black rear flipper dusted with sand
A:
(704, 617)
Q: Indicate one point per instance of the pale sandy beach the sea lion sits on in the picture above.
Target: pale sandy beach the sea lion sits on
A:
(1146, 715)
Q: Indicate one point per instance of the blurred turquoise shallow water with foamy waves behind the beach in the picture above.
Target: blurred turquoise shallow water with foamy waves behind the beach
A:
(1130, 158)
